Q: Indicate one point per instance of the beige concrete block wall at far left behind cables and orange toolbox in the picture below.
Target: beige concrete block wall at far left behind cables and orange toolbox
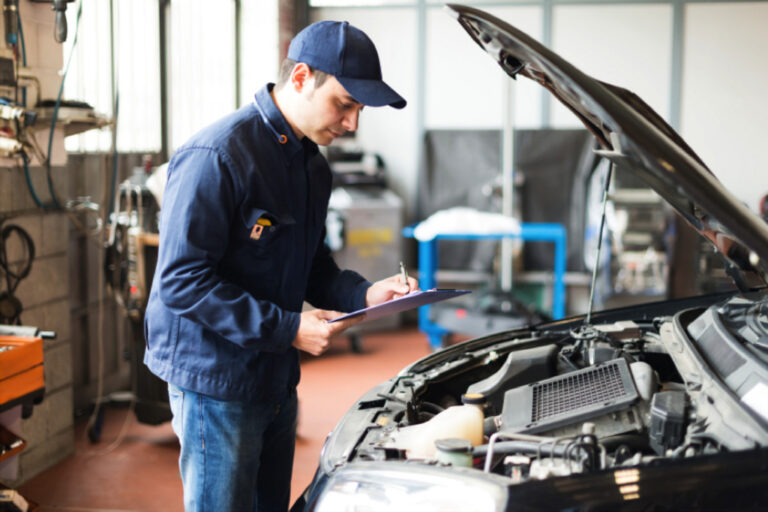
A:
(45, 292)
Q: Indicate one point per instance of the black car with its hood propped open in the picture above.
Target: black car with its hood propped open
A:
(658, 406)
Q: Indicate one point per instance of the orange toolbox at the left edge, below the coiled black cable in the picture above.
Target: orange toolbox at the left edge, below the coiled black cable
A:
(21, 370)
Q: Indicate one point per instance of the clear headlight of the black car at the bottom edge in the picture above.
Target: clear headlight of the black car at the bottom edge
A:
(405, 486)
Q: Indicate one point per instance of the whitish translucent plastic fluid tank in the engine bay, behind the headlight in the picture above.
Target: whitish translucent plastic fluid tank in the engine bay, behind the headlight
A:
(457, 422)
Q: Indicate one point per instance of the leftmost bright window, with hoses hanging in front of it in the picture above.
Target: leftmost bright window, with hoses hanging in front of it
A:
(136, 69)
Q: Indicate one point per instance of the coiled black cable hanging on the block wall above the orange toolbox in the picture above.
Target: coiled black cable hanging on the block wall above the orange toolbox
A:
(11, 307)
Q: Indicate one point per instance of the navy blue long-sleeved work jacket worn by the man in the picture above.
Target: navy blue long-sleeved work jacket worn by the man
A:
(241, 247)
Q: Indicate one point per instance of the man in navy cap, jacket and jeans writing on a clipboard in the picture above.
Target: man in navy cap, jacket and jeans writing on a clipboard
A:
(241, 248)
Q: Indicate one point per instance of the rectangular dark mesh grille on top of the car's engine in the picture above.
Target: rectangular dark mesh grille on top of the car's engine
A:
(593, 387)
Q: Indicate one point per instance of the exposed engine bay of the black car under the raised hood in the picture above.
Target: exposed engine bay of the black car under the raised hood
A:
(573, 398)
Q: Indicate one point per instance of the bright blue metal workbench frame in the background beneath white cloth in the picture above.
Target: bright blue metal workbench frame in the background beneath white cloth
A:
(532, 232)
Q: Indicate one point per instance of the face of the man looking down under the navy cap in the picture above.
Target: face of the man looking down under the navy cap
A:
(327, 112)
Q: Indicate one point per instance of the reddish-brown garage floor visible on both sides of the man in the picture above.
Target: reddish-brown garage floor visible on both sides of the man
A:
(141, 473)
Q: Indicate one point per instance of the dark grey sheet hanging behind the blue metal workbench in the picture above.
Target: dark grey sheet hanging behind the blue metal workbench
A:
(463, 168)
